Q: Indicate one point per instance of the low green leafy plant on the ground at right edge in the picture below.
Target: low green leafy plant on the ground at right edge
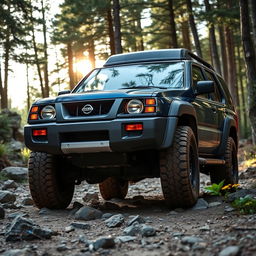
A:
(245, 205)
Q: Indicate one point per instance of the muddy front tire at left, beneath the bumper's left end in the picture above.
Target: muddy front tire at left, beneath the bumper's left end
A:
(47, 187)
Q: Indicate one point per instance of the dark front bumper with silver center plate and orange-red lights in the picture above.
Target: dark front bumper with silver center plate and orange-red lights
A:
(157, 133)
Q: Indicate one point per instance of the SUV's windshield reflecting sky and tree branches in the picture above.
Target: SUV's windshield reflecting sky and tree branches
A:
(159, 75)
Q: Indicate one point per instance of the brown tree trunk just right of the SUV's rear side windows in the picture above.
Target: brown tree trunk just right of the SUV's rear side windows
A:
(232, 80)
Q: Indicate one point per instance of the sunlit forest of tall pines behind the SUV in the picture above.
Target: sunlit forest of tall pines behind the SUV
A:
(48, 46)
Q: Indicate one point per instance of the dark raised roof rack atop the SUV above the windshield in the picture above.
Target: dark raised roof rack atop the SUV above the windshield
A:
(154, 55)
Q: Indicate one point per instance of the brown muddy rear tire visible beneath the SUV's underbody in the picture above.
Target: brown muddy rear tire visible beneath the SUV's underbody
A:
(113, 187)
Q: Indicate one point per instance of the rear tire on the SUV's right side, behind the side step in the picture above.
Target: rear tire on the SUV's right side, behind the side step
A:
(229, 171)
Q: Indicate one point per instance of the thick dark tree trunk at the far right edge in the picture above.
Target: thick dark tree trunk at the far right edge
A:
(250, 63)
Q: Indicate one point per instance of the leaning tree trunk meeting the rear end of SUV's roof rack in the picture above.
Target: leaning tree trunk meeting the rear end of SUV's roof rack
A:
(213, 42)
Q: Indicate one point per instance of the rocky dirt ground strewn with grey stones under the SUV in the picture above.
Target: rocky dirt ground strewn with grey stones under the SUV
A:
(138, 225)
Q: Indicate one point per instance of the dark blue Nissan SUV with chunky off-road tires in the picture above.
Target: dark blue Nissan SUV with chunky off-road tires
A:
(163, 113)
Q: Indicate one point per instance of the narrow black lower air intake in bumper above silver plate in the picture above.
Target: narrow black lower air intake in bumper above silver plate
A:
(84, 136)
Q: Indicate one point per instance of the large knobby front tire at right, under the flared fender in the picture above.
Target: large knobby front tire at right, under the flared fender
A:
(179, 170)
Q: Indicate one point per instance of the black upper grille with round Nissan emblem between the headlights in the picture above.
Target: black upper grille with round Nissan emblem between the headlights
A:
(97, 108)
